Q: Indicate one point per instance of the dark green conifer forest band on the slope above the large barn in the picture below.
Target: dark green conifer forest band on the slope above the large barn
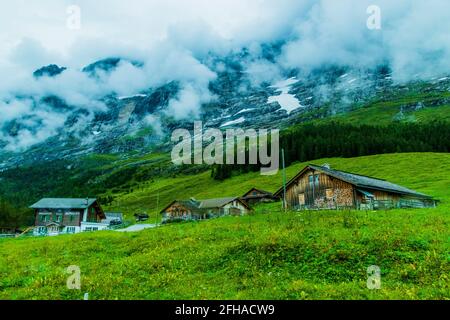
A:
(314, 141)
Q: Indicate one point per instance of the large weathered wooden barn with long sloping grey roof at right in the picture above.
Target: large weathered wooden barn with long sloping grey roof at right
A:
(320, 187)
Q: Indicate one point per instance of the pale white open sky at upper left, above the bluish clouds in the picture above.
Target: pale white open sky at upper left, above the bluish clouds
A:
(135, 24)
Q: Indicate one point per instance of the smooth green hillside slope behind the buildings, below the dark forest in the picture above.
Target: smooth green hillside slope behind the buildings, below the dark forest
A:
(405, 169)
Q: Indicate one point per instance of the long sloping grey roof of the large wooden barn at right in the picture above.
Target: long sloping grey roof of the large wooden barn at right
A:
(359, 181)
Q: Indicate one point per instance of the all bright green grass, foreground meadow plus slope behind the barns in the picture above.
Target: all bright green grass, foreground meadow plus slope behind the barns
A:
(266, 255)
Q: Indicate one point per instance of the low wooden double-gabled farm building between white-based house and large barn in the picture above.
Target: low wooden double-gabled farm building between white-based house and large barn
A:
(203, 209)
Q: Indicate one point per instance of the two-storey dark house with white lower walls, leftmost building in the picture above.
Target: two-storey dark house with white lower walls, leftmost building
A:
(54, 216)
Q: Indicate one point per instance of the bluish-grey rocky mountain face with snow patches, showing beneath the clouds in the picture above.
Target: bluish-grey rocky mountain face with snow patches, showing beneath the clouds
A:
(142, 122)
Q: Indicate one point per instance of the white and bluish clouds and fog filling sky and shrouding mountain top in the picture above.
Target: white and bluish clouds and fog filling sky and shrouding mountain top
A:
(189, 46)
